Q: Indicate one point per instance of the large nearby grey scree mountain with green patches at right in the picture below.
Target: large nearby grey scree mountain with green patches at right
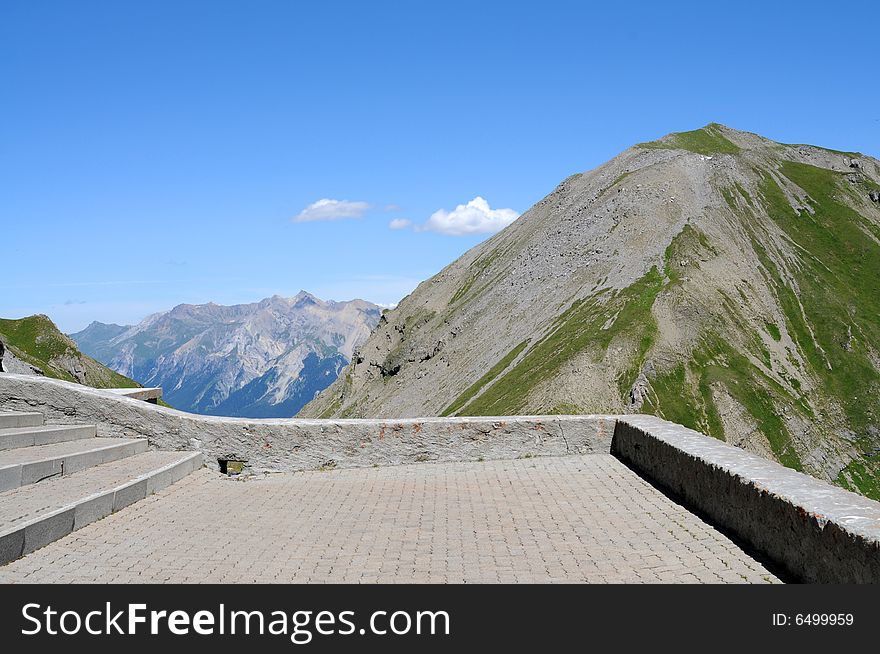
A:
(714, 277)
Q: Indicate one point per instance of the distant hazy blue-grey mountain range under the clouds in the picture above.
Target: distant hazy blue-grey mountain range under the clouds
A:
(265, 359)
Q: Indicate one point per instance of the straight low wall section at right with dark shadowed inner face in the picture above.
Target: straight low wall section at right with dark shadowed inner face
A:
(819, 532)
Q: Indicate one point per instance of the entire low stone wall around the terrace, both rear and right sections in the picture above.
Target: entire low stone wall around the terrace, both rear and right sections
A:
(816, 531)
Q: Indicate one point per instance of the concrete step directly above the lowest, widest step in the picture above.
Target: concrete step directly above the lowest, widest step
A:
(29, 465)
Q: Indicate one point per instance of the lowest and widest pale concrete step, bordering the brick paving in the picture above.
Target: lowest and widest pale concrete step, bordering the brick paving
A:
(35, 515)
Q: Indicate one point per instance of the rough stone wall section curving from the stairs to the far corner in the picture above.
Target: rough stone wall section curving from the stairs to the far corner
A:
(304, 444)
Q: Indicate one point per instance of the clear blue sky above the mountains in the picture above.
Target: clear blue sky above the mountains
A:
(166, 152)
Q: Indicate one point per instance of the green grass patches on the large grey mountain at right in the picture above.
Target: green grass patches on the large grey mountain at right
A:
(833, 290)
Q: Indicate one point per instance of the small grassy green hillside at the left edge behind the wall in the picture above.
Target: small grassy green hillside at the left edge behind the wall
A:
(34, 346)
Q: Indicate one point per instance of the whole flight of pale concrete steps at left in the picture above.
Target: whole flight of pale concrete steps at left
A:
(55, 479)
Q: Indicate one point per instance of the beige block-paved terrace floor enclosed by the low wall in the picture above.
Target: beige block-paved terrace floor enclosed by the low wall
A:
(567, 519)
